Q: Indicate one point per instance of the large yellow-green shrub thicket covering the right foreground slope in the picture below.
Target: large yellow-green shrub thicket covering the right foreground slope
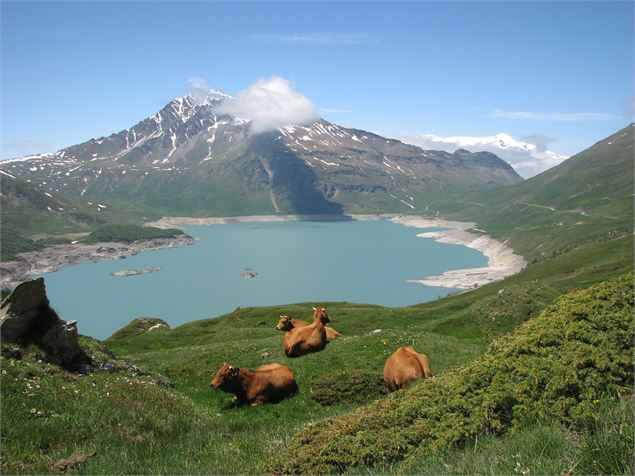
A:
(557, 366)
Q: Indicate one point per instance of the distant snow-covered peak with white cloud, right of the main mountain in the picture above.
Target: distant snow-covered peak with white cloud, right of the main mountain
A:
(528, 157)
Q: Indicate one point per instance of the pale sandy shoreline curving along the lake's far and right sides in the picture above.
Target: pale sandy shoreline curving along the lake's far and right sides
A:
(501, 259)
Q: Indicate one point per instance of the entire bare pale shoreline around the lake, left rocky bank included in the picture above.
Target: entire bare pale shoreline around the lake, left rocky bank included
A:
(502, 261)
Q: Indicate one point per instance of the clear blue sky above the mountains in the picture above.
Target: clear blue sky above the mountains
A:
(76, 70)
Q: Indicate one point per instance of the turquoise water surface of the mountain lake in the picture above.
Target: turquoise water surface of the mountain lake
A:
(357, 261)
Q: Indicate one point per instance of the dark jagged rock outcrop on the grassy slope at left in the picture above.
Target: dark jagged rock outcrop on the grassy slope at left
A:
(27, 318)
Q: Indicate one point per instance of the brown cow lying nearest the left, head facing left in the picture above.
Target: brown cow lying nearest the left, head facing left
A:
(268, 383)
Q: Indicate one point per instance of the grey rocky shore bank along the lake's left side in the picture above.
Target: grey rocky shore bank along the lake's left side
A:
(55, 257)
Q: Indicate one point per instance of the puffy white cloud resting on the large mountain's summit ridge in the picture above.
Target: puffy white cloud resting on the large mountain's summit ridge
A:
(270, 104)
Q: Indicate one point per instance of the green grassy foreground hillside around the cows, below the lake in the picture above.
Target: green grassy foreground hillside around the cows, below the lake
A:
(170, 421)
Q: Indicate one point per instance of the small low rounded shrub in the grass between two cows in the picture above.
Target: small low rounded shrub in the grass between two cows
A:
(347, 386)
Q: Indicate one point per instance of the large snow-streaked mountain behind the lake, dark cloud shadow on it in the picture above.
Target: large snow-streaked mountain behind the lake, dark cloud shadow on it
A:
(189, 160)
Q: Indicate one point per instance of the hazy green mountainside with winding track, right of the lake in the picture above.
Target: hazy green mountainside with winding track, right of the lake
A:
(587, 198)
